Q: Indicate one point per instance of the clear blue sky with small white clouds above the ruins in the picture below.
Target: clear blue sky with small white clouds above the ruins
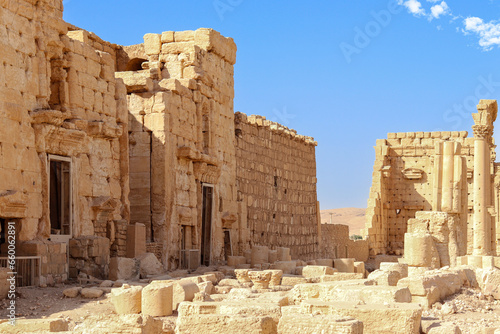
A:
(346, 72)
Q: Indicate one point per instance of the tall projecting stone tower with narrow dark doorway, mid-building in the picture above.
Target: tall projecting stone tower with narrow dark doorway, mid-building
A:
(182, 138)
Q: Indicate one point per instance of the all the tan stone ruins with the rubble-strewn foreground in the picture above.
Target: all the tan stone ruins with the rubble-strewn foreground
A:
(129, 185)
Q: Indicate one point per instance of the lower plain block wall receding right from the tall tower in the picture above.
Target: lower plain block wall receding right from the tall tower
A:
(276, 181)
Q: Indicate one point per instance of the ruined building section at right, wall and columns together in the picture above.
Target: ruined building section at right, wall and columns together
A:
(443, 172)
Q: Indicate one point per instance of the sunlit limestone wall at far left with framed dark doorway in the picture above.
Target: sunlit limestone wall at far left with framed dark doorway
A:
(59, 101)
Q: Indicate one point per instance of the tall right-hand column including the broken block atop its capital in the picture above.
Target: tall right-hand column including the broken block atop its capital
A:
(483, 131)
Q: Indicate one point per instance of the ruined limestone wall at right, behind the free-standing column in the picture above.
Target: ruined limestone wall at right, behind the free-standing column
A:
(407, 178)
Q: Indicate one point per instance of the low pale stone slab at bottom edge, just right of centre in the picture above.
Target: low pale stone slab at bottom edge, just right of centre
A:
(312, 324)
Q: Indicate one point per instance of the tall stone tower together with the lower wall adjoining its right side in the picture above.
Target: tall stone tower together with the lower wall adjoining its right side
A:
(204, 182)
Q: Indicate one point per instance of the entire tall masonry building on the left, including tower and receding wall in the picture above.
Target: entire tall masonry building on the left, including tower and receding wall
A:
(96, 137)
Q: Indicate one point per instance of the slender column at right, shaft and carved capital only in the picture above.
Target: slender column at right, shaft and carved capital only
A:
(482, 220)
